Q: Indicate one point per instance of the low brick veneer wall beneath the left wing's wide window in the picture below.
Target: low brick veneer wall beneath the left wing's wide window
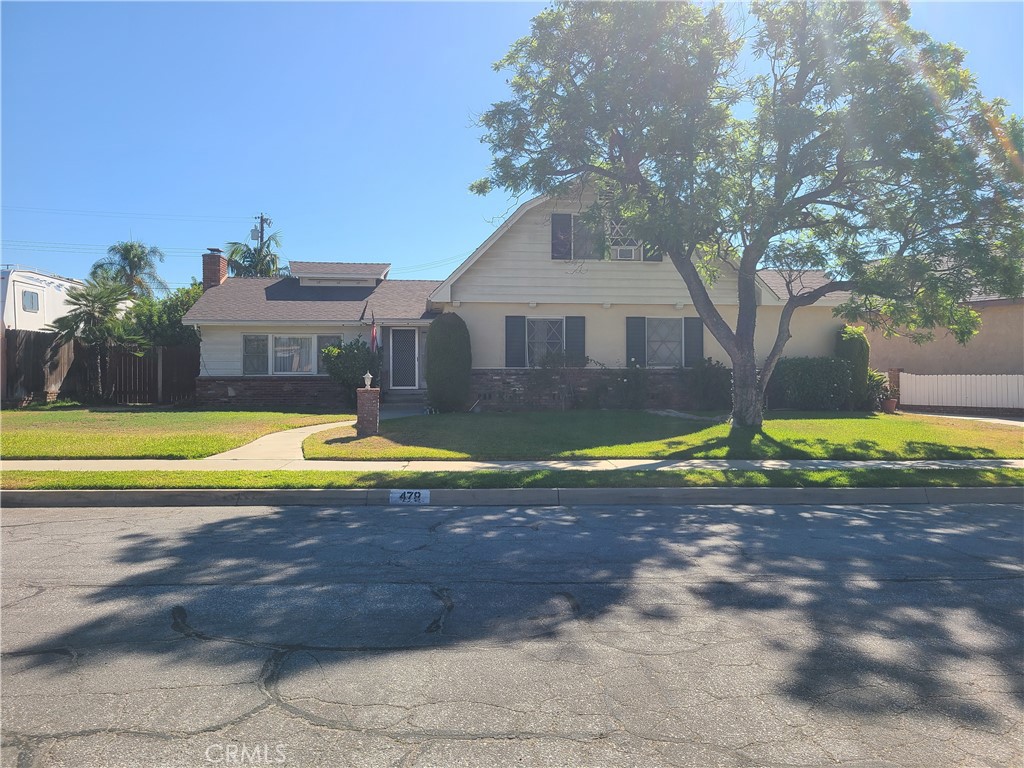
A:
(277, 392)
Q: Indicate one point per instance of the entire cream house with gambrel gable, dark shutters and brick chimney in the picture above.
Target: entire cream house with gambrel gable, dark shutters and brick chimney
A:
(535, 287)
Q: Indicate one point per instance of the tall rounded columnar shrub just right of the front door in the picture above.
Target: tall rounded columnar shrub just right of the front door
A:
(450, 361)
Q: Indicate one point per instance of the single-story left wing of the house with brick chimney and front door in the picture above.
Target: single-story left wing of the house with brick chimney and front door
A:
(263, 337)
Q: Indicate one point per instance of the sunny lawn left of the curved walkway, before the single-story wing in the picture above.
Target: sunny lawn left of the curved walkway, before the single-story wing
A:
(139, 433)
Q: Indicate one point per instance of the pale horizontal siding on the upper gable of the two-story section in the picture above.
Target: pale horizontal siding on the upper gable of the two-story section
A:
(519, 268)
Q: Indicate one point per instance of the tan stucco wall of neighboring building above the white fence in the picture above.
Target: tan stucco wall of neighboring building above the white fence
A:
(999, 348)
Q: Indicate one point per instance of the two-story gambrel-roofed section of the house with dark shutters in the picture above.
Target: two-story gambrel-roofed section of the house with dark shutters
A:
(537, 286)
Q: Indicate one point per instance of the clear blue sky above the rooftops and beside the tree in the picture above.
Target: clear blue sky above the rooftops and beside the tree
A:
(350, 124)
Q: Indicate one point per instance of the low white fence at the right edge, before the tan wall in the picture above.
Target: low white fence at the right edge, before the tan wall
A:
(967, 391)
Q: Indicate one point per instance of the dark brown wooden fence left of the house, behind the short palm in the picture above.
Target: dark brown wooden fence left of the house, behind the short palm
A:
(33, 372)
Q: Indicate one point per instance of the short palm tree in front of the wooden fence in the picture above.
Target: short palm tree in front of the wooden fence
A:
(96, 319)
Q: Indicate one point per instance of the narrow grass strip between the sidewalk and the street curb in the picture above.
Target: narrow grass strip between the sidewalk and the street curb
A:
(494, 480)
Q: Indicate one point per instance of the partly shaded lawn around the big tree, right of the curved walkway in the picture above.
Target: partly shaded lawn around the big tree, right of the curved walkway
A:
(632, 435)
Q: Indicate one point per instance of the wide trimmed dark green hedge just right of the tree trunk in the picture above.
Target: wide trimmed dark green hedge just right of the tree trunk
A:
(809, 385)
